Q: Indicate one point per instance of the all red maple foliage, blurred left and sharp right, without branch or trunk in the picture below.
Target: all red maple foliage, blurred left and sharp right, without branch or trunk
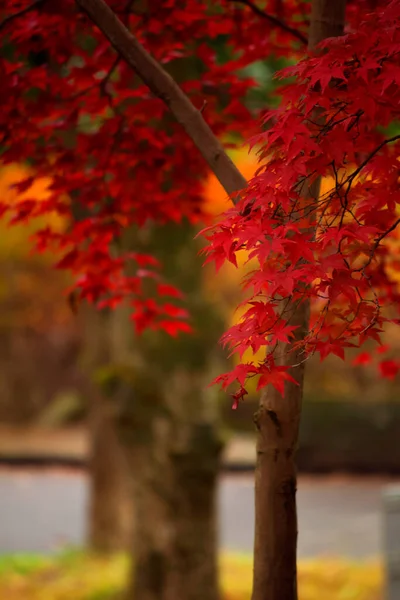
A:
(64, 110)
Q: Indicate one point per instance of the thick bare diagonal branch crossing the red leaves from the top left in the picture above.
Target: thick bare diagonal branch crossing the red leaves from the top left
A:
(165, 88)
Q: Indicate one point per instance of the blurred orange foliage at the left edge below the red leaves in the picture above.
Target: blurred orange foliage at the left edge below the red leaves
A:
(31, 292)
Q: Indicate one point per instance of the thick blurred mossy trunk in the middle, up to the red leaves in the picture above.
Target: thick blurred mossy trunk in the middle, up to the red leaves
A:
(168, 426)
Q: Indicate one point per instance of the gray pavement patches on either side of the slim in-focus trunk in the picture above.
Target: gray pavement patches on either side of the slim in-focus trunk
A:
(337, 517)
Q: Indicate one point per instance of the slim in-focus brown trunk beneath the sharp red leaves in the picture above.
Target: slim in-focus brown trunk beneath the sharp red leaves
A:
(278, 421)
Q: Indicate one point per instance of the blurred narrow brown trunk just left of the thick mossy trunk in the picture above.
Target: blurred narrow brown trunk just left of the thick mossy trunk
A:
(110, 500)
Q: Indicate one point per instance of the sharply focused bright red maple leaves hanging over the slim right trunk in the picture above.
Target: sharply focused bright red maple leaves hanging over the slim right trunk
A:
(329, 248)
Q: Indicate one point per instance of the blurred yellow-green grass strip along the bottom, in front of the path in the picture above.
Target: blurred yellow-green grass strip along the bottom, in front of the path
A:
(76, 576)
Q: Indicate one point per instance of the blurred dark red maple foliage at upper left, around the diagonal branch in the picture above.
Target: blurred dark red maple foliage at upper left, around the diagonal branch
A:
(115, 154)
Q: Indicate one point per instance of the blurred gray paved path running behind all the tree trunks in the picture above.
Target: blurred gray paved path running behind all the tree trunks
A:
(45, 509)
